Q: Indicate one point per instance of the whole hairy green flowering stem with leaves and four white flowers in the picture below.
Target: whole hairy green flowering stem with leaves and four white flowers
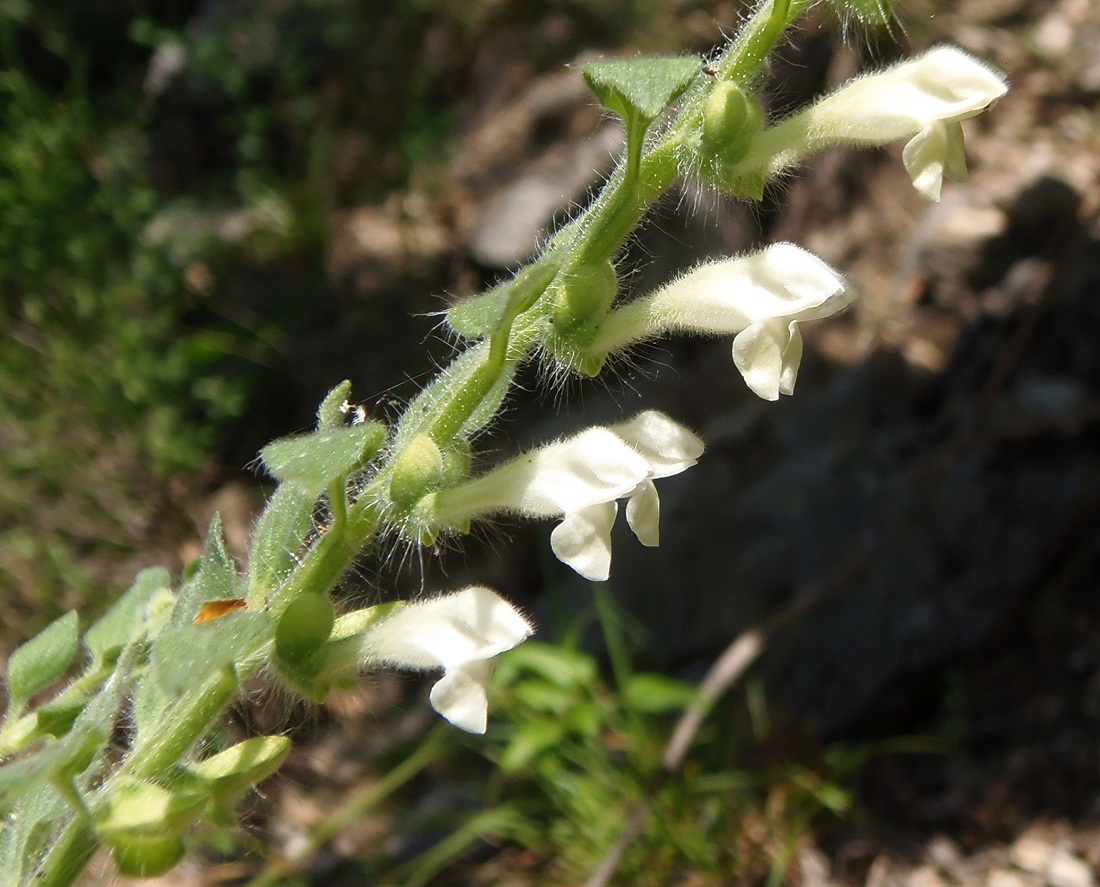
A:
(164, 663)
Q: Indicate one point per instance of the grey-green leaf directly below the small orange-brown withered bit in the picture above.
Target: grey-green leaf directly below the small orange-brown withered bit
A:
(185, 656)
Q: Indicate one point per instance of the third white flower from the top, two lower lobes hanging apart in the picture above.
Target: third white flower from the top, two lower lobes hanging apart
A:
(582, 479)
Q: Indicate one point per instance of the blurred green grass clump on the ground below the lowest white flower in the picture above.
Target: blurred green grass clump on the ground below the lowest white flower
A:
(577, 757)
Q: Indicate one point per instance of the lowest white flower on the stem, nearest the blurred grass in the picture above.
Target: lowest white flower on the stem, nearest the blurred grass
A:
(461, 633)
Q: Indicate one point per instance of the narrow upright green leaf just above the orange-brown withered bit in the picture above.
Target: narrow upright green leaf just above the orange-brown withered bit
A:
(283, 528)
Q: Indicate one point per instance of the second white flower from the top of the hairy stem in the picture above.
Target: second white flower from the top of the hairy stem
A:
(761, 299)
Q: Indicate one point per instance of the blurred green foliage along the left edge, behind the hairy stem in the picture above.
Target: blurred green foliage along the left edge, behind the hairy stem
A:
(98, 390)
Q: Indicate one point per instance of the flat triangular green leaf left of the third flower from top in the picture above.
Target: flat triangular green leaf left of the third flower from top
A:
(314, 462)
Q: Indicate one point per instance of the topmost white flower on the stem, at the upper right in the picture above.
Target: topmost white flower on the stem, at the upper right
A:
(925, 100)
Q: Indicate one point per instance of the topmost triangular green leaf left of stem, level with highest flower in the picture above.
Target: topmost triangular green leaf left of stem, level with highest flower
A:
(641, 87)
